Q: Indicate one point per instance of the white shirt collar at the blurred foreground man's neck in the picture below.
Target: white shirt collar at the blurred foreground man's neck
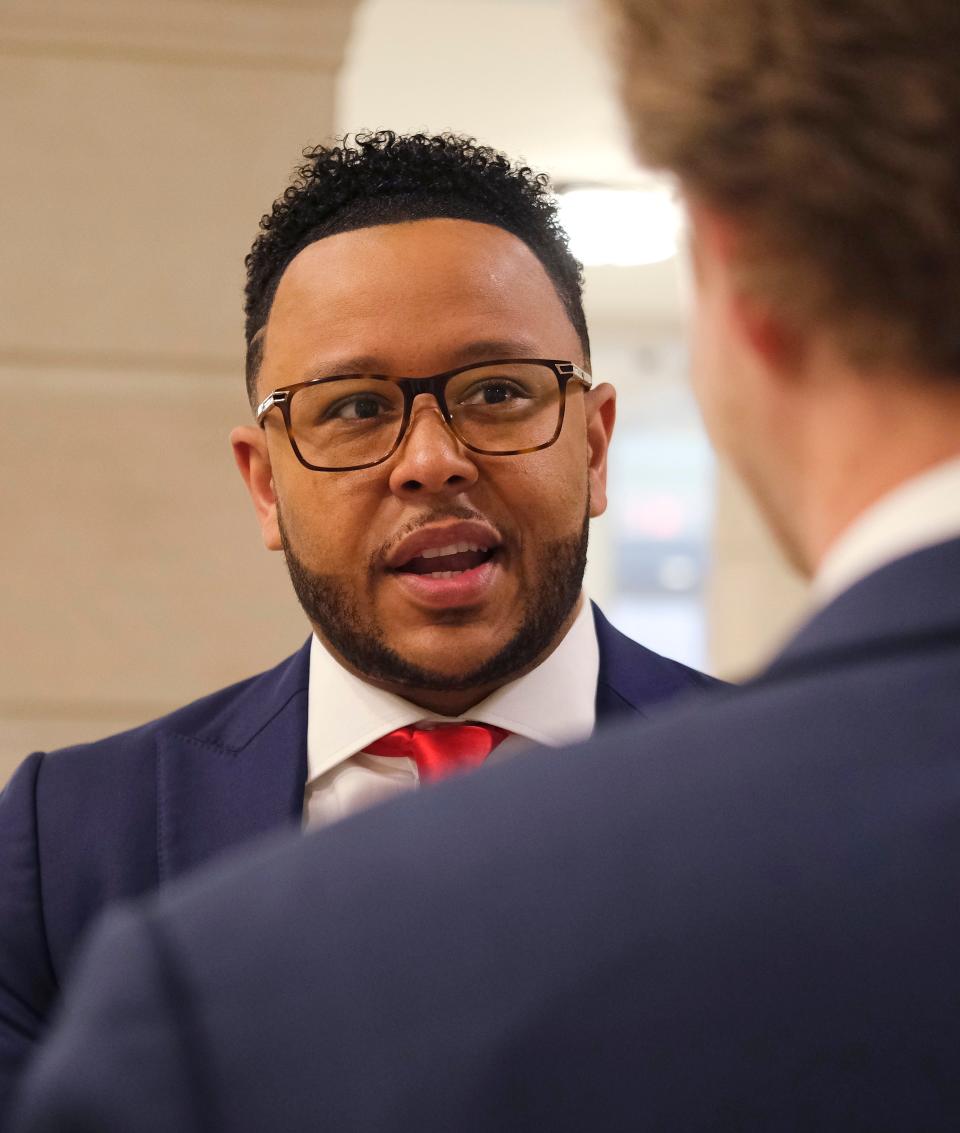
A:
(920, 514)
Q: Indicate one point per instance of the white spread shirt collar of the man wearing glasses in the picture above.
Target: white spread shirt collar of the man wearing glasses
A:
(555, 704)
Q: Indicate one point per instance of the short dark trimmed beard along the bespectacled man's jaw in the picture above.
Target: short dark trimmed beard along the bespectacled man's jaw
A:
(333, 608)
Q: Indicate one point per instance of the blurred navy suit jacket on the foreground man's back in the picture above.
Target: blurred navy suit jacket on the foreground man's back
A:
(745, 917)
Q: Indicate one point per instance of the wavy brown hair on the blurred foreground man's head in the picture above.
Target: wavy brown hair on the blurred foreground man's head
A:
(832, 130)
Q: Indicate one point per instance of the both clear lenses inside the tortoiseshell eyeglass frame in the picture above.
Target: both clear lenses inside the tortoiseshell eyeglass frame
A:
(356, 421)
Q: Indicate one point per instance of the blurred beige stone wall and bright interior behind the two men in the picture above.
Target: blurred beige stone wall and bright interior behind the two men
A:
(141, 144)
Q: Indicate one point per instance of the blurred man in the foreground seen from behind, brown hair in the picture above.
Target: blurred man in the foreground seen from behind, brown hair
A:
(755, 925)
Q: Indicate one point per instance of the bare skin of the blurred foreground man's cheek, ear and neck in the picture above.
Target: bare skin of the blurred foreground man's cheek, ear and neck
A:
(815, 437)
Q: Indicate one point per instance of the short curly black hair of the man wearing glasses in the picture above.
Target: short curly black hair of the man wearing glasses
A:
(385, 178)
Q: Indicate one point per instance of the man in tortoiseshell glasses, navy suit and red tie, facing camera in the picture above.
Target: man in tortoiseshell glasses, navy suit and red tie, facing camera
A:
(428, 450)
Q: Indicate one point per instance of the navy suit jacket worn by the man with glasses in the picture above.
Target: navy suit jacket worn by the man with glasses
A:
(91, 825)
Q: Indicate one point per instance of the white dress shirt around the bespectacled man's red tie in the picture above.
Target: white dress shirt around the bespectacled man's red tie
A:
(553, 705)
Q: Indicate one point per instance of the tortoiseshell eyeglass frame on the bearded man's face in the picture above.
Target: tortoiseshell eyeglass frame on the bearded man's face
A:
(412, 388)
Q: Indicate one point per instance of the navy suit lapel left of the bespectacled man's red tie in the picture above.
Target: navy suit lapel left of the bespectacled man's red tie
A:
(240, 776)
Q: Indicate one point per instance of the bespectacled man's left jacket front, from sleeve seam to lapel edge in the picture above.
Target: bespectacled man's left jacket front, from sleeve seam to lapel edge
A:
(122, 815)
